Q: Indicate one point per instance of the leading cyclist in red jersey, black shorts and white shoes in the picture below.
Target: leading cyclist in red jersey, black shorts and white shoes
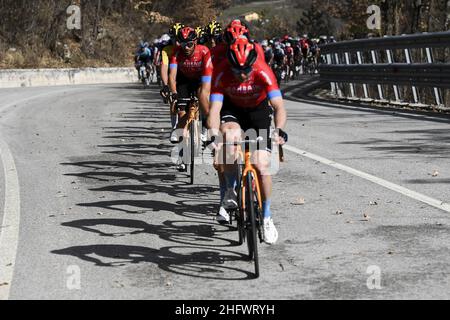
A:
(242, 88)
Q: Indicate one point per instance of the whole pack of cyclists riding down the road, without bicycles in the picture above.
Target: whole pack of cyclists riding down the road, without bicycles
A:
(236, 80)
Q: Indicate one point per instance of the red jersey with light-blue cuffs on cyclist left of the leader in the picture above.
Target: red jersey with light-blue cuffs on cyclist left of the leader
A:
(196, 67)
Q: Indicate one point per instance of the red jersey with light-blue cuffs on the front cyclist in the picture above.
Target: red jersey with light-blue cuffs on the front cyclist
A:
(261, 85)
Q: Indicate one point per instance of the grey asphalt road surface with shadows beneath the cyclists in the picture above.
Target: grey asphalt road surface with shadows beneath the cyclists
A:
(95, 209)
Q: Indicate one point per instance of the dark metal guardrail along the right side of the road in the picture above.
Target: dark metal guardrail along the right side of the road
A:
(359, 62)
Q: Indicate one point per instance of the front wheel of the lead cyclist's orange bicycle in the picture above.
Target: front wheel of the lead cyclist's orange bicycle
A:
(251, 229)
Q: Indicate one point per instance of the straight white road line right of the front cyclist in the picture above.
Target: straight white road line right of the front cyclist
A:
(384, 183)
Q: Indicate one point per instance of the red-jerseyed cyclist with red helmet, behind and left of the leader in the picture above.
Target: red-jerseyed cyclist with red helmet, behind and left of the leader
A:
(190, 73)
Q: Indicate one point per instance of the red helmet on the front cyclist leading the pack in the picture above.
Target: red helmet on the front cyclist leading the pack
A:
(242, 53)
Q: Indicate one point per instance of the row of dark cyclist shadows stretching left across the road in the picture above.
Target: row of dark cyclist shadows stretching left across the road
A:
(201, 242)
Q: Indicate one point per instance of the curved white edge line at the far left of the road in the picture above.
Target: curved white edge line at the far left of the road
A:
(9, 232)
